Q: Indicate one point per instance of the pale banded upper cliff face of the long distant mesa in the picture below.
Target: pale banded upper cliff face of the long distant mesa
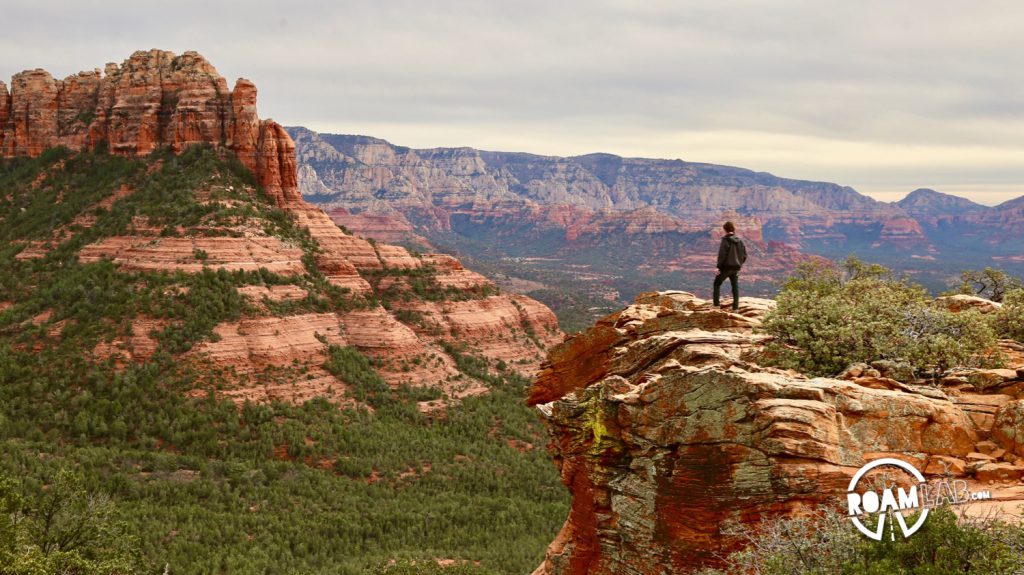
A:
(371, 174)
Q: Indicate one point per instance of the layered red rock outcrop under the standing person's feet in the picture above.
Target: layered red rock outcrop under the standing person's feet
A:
(665, 427)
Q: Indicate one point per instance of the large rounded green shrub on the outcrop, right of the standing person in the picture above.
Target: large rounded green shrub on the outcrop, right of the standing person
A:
(829, 319)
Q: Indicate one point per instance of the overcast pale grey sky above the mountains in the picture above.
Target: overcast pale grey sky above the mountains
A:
(886, 97)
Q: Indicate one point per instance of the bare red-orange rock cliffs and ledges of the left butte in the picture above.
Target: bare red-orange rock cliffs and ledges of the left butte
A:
(156, 100)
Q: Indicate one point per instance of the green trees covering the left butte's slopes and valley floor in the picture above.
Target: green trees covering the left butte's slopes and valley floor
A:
(198, 485)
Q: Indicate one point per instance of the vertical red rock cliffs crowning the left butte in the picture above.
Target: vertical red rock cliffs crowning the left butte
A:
(154, 99)
